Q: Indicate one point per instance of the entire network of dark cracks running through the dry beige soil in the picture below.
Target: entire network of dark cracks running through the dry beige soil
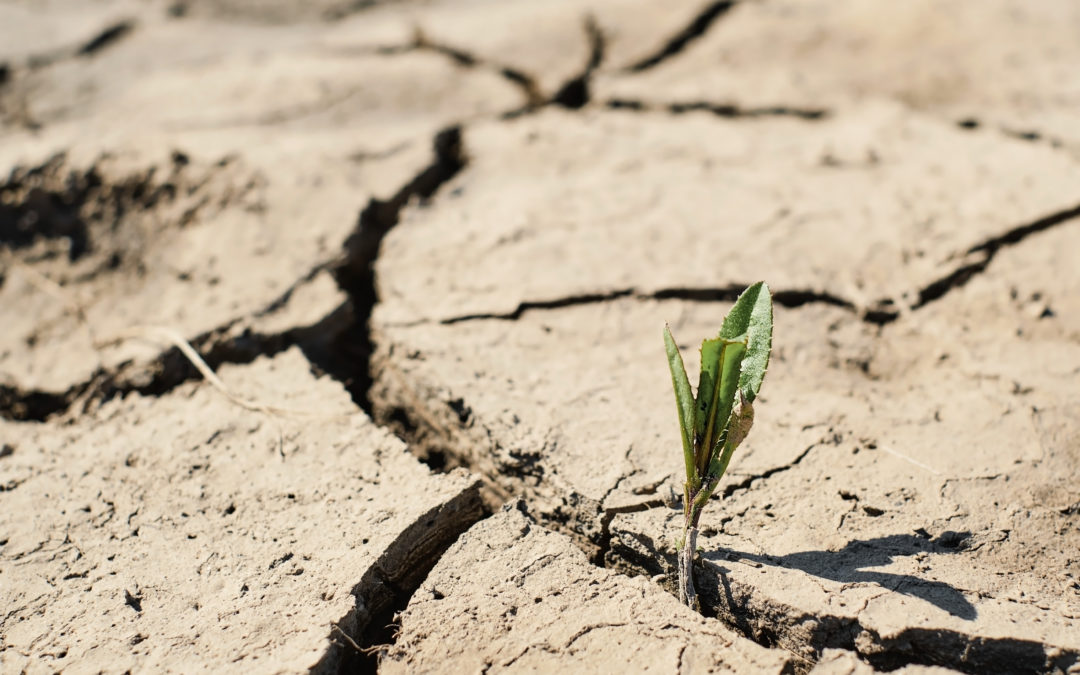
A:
(342, 345)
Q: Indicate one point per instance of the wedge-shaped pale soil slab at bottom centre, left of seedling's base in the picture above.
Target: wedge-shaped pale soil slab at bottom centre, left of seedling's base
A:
(517, 598)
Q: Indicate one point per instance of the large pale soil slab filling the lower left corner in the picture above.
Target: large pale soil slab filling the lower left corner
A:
(182, 534)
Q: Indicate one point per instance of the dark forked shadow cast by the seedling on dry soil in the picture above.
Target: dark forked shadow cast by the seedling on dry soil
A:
(848, 566)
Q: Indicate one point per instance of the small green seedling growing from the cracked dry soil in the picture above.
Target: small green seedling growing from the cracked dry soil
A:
(719, 420)
